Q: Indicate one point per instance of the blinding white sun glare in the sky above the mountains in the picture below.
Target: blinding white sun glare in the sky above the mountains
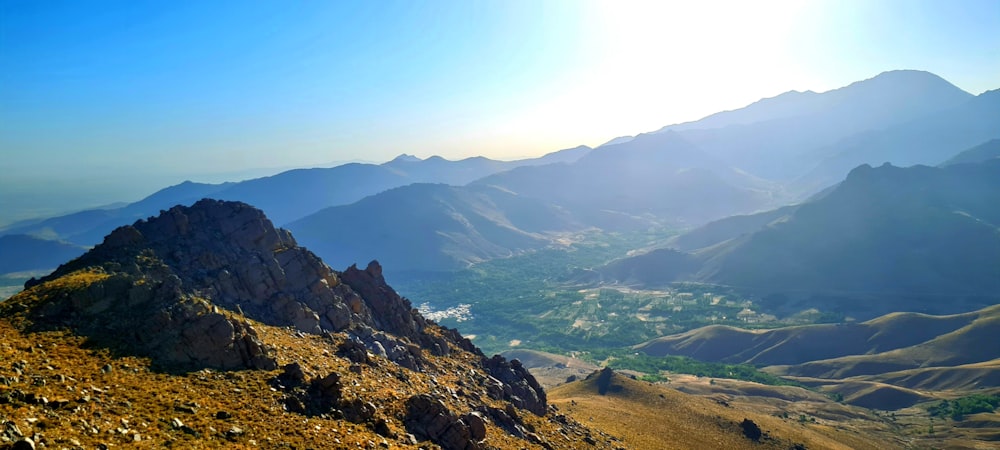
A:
(640, 58)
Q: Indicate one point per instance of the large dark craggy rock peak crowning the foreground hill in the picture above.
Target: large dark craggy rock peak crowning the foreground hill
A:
(230, 253)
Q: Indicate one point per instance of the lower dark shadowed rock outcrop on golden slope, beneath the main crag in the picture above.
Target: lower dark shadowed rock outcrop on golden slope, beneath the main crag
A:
(151, 316)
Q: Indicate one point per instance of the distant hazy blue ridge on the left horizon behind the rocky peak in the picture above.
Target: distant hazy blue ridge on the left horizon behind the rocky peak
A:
(285, 197)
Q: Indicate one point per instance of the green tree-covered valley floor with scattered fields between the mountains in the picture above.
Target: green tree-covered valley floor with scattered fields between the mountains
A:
(547, 300)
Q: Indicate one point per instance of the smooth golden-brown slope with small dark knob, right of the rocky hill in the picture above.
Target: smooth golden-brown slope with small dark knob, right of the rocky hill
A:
(651, 416)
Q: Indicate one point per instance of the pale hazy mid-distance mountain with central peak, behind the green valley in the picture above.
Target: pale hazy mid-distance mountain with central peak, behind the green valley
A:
(649, 179)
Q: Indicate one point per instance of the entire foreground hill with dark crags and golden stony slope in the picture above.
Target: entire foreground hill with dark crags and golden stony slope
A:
(207, 327)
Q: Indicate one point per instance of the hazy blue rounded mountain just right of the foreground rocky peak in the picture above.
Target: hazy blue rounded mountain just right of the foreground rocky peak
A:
(446, 227)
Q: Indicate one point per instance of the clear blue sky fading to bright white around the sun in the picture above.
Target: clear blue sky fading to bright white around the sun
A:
(111, 100)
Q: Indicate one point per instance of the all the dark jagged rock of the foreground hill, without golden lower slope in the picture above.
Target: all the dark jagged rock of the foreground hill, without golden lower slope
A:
(185, 287)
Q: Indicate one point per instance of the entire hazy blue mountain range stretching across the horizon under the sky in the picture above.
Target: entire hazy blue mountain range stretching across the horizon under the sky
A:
(766, 155)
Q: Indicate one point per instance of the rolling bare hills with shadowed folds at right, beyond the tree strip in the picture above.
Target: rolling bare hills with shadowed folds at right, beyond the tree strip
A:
(893, 342)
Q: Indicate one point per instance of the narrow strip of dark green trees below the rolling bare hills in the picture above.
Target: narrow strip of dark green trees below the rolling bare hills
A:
(679, 364)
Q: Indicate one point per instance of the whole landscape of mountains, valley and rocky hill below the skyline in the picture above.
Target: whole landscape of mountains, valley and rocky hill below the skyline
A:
(809, 271)
